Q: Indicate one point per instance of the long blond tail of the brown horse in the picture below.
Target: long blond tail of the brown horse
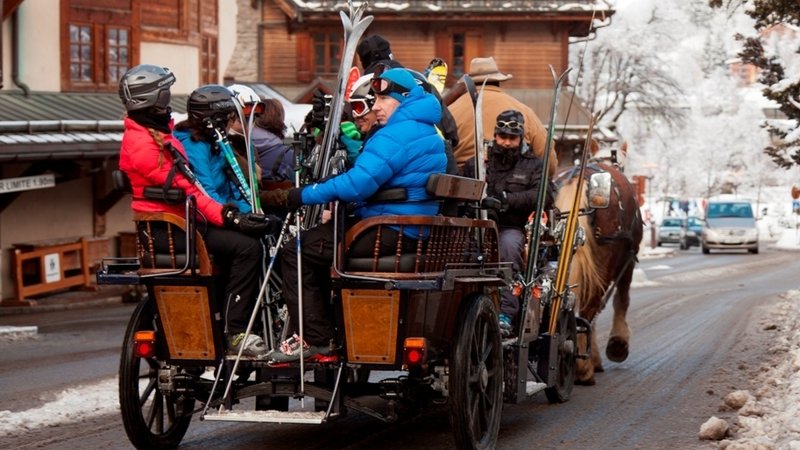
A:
(585, 271)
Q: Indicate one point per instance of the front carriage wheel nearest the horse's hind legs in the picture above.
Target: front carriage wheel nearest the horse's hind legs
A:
(564, 359)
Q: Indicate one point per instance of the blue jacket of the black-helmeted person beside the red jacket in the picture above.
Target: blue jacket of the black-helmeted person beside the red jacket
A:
(210, 168)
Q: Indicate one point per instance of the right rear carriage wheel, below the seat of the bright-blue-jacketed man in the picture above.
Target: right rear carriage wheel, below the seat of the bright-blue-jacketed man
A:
(476, 375)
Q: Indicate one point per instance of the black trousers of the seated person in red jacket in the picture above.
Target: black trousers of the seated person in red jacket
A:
(238, 256)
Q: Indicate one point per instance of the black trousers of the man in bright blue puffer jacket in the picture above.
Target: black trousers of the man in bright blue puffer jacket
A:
(317, 251)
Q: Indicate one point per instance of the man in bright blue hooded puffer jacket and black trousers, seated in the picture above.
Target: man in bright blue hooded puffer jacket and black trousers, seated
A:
(403, 153)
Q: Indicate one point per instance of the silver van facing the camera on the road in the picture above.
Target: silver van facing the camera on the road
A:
(730, 225)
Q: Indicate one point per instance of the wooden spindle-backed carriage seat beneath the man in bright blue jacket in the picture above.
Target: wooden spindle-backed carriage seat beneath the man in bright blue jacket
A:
(445, 240)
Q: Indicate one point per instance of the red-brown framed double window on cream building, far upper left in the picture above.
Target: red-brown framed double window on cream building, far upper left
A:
(98, 55)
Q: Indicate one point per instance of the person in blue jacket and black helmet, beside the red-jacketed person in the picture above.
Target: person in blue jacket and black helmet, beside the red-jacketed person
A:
(211, 106)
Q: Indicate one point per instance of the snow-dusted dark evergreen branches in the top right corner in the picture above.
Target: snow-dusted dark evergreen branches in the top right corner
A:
(780, 88)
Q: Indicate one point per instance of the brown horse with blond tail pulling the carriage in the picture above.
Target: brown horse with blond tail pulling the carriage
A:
(605, 263)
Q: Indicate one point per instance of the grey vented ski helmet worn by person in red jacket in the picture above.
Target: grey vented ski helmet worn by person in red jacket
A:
(144, 86)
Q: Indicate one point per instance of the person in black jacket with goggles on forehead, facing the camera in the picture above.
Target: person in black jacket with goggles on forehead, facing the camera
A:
(513, 175)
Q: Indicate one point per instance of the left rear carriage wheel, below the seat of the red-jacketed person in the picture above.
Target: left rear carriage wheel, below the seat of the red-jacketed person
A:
(152, 419)
